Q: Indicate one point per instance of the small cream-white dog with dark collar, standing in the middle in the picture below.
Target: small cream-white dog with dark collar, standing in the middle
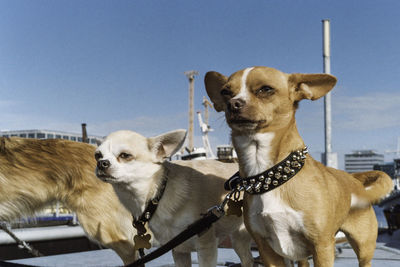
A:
(136, 167)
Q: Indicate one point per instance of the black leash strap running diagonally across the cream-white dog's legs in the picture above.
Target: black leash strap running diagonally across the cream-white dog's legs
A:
(198, 227)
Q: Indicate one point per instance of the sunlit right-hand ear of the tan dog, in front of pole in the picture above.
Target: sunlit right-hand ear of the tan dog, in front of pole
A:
(311, 86)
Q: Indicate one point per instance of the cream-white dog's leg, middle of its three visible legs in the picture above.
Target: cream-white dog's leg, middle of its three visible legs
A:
(207, 249)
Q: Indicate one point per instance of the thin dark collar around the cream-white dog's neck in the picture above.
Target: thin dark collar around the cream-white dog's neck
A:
(150, 209)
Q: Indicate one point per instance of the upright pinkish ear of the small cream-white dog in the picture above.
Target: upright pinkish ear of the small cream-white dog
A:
(166, 145)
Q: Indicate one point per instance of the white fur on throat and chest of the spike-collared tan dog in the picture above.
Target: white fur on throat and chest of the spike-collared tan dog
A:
(268, 215)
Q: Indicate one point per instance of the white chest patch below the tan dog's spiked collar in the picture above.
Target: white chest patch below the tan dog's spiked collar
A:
(279, 224)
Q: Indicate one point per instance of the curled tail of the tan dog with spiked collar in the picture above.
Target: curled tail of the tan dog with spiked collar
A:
(377, 185)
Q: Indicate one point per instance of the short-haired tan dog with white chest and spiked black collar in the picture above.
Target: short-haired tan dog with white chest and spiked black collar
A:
(302, 216)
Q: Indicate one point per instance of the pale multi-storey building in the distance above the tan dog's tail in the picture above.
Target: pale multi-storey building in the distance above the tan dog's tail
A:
(362, 160)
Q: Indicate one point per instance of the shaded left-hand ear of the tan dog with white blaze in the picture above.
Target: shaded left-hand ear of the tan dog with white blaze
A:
(214, 82)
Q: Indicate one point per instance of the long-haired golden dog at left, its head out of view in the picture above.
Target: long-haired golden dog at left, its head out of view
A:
(36, 173)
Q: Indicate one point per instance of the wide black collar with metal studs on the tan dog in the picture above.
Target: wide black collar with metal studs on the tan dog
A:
(271, 178)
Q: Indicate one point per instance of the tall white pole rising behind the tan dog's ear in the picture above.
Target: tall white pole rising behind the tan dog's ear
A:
(327, 98)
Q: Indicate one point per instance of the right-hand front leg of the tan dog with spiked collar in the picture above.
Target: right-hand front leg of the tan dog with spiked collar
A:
(324, 253)
